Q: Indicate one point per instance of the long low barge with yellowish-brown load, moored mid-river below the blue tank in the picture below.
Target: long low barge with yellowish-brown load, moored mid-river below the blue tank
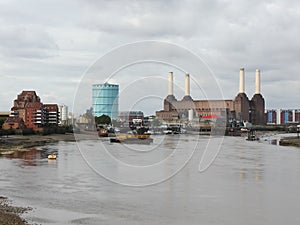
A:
(132, 139)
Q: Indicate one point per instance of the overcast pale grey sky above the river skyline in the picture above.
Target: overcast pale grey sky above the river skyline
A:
(52, 46)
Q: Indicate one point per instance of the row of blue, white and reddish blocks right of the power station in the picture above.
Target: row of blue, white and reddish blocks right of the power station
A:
(283, 116)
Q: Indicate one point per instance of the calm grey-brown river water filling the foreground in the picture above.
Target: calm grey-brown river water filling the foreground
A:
(248, 183)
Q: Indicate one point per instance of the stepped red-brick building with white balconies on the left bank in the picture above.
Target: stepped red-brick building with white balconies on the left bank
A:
(30, 112)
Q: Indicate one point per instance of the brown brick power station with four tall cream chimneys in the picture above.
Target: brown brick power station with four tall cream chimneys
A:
(240, 108)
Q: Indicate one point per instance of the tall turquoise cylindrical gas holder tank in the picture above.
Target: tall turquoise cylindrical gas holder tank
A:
(106, 100)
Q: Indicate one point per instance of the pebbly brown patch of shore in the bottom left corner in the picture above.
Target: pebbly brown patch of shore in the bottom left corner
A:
(11, 215)
